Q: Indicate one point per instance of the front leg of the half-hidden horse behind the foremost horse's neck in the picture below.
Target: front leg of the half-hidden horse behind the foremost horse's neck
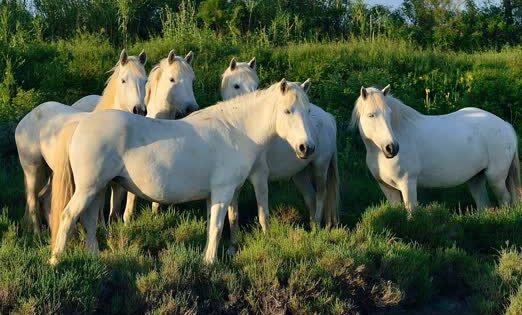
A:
(259, 179)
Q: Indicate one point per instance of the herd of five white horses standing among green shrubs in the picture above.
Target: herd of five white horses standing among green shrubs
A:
(70, 155)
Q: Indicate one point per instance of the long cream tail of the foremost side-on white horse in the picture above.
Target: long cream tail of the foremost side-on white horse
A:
(62, 187)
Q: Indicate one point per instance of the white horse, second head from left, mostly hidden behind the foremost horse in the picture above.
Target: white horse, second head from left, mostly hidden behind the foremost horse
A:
(169, 92)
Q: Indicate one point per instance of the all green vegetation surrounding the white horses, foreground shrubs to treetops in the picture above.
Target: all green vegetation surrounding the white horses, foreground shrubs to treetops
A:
(439, 56)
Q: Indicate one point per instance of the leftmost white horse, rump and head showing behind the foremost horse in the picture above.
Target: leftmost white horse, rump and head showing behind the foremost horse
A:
(36, 133)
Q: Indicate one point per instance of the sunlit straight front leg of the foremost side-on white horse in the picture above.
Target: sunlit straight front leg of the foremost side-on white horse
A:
(221, 199)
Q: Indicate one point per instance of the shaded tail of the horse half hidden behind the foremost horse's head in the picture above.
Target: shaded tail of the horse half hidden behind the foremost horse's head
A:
(331, 205)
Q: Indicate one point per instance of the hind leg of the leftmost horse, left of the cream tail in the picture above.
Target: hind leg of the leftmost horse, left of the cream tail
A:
(34, 183)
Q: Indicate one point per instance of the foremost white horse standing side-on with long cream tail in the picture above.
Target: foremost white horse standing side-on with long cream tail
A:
(208, 154)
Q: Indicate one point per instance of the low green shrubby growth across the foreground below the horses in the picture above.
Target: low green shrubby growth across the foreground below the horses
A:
(384, 264)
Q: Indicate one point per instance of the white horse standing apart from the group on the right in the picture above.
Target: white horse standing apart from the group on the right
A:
(469, 145)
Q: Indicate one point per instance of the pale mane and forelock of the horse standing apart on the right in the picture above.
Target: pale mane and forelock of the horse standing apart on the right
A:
(400, 112)
